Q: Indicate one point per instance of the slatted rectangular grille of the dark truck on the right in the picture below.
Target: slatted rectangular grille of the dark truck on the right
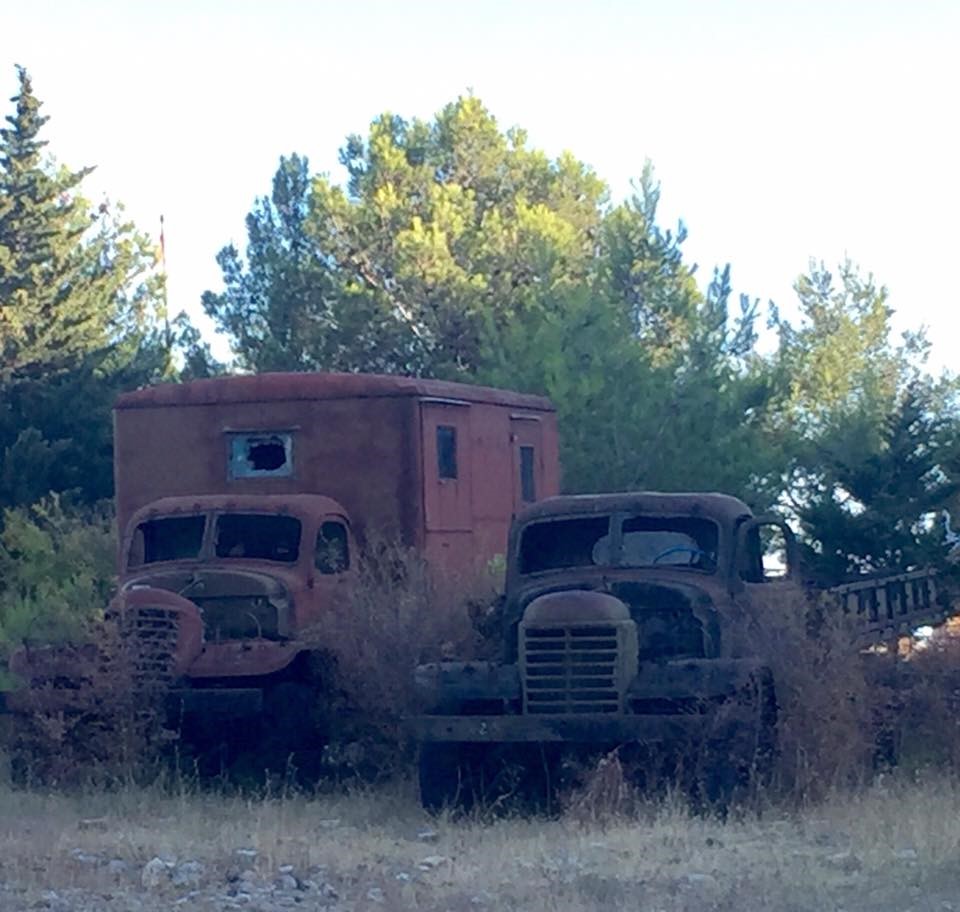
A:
(571, 669)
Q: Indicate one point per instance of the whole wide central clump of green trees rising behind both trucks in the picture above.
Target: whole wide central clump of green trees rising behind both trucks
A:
(457, 251)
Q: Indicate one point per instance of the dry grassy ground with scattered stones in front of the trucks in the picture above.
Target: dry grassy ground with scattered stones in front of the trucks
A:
(892, 846)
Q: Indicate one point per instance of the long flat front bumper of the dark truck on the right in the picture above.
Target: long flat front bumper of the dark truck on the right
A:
(591, 729)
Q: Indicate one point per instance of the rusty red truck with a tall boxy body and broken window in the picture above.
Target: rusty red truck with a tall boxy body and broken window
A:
(242, 502)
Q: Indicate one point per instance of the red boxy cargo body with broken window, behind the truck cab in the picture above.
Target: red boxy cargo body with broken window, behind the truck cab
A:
(444, 466)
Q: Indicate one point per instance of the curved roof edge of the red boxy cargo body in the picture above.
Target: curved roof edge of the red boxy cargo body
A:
(312, 386)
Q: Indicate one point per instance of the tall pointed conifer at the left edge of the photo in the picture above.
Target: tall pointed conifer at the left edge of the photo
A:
(79, 318)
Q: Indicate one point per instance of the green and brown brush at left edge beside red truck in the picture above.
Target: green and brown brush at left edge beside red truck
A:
(82, 714)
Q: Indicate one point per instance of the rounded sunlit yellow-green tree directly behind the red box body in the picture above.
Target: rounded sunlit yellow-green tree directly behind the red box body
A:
(444, 228)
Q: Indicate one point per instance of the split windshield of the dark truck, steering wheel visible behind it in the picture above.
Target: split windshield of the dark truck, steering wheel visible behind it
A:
(645, 541)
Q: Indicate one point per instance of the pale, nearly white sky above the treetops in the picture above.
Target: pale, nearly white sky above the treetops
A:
(780, 131)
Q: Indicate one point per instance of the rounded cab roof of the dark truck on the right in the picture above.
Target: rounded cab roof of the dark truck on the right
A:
(720, 507)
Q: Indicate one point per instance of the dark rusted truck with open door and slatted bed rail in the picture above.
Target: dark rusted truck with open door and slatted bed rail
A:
(632, 619)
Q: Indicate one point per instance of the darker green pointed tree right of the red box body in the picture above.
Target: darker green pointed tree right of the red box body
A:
(657, 385)
